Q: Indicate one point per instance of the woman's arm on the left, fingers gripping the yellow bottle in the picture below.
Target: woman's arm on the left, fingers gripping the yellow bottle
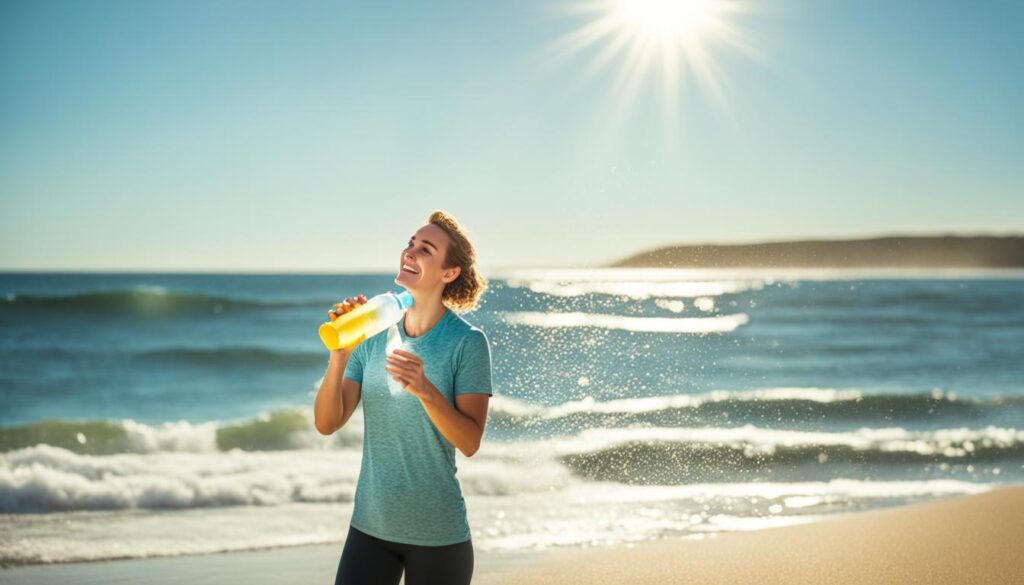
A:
(337, 396)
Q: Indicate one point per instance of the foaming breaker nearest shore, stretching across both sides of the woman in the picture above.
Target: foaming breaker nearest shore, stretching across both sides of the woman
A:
(47, 479)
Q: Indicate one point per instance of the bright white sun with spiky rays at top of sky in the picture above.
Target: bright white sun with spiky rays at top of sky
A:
(663, 41)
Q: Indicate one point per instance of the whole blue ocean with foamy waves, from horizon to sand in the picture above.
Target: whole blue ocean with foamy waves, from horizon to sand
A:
(149, 415)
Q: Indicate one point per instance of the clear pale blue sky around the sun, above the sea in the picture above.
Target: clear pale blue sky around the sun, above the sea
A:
(253, 136)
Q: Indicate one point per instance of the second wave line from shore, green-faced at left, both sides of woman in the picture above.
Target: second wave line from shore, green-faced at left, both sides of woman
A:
(290, 429)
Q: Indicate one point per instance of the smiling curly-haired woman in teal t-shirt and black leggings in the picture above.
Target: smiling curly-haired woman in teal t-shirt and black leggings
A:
(409, 512)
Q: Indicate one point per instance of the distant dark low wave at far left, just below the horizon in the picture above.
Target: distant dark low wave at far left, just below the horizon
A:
(142, 301)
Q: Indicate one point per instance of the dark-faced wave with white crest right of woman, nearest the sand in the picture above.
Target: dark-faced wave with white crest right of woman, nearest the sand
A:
(668, 456)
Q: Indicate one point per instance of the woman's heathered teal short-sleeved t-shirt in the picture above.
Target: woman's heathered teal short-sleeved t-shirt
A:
(408, 491)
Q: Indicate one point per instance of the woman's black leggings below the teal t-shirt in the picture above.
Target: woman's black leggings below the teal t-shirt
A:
(370, 561)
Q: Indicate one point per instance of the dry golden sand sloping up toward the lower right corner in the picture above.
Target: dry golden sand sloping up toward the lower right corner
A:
(970, 539)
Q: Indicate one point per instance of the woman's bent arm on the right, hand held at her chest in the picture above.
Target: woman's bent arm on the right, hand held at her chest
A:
(462, 425)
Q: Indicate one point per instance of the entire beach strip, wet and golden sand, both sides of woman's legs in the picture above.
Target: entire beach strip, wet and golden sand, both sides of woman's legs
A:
(968, 539)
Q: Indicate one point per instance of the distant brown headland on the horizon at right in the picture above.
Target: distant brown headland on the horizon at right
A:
(894, 252)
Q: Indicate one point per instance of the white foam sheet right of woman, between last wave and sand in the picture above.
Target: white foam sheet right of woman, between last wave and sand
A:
(594, 515)
